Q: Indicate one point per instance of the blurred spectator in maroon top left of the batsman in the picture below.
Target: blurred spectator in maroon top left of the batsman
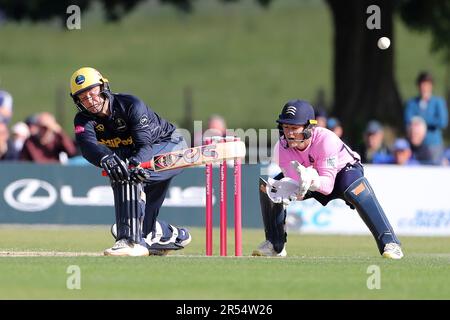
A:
(49, 144)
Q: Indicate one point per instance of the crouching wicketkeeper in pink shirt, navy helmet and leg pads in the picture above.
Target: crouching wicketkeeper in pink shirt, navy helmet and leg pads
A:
(321, 166)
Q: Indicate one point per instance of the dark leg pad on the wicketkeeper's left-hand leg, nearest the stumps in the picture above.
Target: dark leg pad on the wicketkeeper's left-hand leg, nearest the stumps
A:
(274, 218)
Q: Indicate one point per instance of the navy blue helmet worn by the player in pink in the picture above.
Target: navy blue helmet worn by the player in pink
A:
(297, 112)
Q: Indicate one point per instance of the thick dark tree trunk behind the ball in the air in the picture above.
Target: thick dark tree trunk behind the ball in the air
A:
(364, 80)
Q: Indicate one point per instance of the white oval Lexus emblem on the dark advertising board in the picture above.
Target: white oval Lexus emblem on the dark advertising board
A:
(30, 195)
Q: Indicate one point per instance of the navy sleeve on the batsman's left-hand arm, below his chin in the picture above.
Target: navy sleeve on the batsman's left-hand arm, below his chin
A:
(85, 136)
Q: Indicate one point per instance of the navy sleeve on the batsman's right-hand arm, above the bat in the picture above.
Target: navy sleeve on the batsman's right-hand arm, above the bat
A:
(144, 127)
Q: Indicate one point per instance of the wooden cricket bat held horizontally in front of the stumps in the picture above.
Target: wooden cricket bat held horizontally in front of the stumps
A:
(195, 156)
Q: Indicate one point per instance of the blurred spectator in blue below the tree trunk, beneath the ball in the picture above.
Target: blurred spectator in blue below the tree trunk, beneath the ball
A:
(373, 149)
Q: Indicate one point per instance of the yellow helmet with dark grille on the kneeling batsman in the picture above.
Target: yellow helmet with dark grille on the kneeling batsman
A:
(84, 79)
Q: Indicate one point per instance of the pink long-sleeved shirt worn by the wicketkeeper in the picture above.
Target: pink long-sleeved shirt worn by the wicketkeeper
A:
(326, 153)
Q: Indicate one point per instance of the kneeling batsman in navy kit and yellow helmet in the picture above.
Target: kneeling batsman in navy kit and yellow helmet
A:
(117, 132)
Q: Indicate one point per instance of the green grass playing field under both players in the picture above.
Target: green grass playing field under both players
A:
(317, 267)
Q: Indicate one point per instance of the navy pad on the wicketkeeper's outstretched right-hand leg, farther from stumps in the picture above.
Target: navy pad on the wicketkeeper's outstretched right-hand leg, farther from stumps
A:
(361, 195)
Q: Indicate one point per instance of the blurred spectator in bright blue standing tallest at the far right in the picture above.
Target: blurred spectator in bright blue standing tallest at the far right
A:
(433, 110)
